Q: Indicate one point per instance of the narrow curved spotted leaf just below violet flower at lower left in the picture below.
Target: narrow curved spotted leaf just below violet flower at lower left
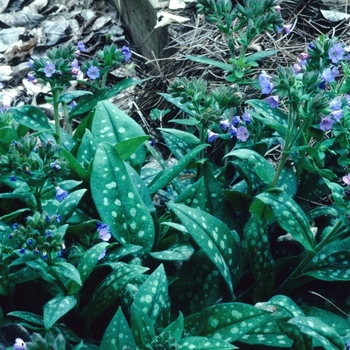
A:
(86, 265)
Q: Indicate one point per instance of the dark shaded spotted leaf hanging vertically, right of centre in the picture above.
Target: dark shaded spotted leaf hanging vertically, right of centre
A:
(256, 238)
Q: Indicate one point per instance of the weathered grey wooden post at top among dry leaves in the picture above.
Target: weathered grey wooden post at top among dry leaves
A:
(139, 18)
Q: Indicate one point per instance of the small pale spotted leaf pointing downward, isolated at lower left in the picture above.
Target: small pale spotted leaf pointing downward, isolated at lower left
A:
(56, 308)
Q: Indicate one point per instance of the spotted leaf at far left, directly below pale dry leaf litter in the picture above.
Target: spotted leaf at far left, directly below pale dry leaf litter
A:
(32, 117)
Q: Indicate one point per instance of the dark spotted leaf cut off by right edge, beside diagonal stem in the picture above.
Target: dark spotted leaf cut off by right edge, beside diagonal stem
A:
(332, 262)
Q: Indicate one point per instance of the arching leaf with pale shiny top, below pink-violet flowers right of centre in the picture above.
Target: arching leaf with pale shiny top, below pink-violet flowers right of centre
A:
(258, 164)
